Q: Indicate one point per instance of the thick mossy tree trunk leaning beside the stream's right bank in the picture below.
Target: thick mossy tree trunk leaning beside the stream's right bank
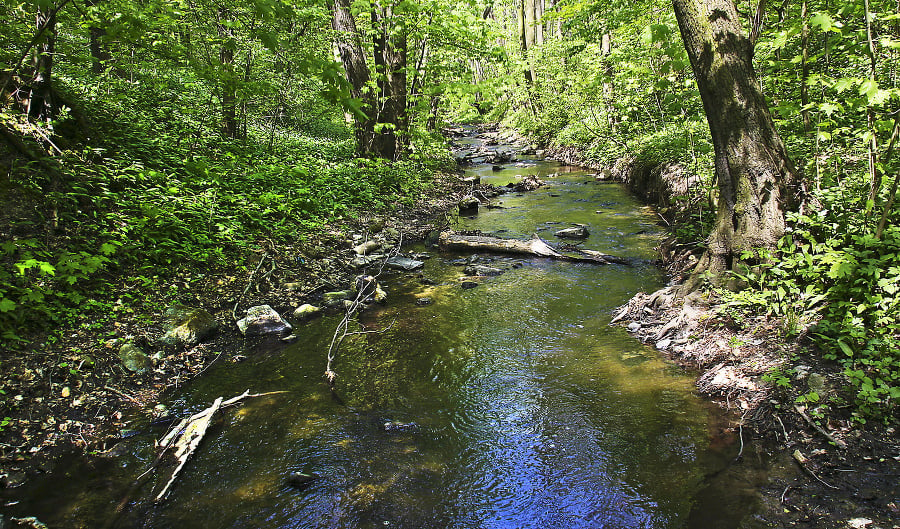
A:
(756, 178)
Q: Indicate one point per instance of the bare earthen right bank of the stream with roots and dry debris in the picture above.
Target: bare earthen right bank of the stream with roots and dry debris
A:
(827, 470)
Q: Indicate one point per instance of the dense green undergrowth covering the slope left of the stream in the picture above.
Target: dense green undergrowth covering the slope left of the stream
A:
(140, 199)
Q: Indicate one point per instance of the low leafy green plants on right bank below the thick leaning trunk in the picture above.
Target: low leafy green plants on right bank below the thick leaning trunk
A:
(836, 279)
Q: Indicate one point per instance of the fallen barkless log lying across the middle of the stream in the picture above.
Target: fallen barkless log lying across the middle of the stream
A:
(536, 247)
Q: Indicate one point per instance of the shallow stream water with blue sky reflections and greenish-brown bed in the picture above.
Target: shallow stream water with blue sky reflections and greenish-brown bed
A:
(511, 404)
